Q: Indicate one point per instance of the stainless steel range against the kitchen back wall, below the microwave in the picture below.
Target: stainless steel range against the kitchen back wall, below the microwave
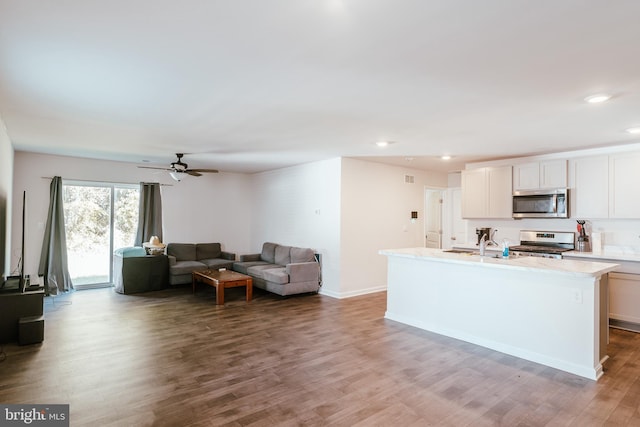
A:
(547, 244)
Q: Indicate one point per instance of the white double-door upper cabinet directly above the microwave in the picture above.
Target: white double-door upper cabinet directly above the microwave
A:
(540, 175)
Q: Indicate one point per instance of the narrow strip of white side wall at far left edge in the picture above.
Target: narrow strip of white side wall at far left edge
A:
(6, 191)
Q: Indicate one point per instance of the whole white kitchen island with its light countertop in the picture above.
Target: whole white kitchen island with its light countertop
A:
(548, 311)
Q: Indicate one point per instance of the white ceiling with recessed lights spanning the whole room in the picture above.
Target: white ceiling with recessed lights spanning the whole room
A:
(252, 85)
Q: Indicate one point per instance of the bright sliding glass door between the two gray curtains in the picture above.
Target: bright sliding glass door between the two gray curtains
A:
(99, 217)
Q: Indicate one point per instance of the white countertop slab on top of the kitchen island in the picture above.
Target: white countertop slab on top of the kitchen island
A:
(560, 266)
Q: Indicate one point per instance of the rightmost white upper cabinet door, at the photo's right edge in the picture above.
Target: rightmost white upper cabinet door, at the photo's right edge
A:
(624, 177)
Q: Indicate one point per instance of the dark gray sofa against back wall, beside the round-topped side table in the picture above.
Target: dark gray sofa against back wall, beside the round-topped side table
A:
(185, 258)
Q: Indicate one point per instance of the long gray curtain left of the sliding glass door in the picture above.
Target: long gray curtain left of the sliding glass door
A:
(53, 257)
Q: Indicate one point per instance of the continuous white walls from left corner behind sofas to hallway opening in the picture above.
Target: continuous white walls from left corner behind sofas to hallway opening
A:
(346, 209)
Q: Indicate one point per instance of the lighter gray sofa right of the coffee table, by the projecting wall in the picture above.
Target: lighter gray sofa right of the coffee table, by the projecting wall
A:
(283, 270)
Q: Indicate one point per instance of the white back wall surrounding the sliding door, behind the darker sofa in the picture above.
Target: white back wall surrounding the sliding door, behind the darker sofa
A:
(197, 209)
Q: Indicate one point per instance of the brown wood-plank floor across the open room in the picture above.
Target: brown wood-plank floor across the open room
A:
(171, 358)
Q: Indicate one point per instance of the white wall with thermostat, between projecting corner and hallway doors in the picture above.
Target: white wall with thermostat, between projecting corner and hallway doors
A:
(376, 208)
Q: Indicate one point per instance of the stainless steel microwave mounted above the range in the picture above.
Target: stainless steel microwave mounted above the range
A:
(550, 203)
